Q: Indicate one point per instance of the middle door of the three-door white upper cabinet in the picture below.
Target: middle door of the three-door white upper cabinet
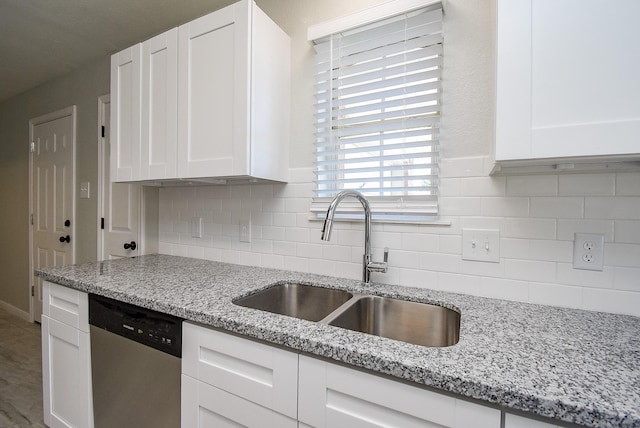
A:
(159, 133)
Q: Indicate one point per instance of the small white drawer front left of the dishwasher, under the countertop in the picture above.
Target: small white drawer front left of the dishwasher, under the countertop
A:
(66, 305)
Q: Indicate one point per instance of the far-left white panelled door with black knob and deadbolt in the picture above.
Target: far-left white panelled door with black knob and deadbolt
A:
(52, 195)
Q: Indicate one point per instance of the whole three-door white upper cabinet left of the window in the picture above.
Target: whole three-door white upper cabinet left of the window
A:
(215, 101)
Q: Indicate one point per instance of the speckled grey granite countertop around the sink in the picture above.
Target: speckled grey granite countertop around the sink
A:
(573, 365)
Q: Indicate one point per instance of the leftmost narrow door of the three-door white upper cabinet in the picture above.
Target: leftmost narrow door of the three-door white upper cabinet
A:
(125, 114)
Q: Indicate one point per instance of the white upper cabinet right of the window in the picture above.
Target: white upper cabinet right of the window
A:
(567, 87)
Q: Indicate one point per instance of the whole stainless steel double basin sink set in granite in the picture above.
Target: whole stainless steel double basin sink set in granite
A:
(411, 322)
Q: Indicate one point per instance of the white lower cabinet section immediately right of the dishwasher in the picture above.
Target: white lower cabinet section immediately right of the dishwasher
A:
(231, 381)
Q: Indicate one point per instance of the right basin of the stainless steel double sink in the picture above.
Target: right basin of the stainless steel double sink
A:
(417, 323)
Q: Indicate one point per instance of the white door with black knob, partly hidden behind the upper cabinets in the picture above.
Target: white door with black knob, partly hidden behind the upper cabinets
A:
(120, 204)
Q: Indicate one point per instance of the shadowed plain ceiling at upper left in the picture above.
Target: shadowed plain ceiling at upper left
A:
(41, 40)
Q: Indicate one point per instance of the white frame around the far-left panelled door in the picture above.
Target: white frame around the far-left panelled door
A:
(58, 114)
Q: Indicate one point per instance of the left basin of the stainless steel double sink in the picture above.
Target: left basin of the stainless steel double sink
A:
(297, 300)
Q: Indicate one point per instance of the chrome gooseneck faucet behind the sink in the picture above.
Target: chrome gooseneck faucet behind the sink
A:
(368, 265)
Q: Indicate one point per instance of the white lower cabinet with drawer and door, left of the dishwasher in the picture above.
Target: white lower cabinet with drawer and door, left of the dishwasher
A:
(66, 358)
